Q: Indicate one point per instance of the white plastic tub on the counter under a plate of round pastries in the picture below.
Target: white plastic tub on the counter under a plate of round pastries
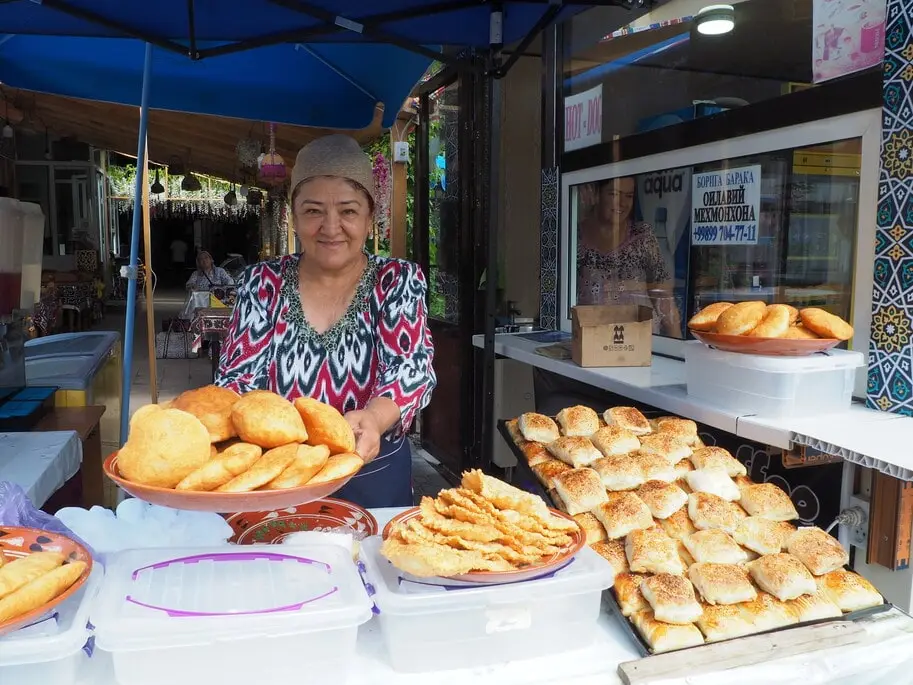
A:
(772, 386)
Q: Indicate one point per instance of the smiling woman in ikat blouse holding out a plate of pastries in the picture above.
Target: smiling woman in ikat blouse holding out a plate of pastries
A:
(337, 324)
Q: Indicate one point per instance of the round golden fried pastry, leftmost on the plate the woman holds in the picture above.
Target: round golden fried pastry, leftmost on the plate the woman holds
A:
(165, 446)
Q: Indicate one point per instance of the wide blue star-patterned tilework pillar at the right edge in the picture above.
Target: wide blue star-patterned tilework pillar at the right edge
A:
(890, 380)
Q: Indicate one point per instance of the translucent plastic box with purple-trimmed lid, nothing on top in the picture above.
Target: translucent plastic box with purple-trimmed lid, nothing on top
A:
(231, 615)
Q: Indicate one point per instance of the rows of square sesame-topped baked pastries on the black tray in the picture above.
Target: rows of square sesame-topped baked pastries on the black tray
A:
(700, 552)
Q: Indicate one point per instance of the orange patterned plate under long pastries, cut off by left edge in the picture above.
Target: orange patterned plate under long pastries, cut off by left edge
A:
(18, 542)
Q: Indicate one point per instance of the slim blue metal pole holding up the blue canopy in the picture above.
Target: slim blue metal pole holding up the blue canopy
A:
(134, 248)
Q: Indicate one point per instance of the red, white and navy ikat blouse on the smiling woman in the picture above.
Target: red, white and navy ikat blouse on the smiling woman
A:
(381, 347)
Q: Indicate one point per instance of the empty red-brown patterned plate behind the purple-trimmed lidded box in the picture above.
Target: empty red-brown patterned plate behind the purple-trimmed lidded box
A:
(271, 527)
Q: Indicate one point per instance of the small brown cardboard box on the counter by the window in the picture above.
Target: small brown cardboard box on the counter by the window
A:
(612, 335)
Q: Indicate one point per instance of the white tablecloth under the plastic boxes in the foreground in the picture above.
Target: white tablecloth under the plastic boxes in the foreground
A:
(882, 660)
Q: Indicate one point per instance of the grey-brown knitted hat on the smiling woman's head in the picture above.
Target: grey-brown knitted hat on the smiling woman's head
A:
(335, 155)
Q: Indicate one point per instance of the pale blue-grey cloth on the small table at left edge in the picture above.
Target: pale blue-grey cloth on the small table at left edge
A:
(40, 463)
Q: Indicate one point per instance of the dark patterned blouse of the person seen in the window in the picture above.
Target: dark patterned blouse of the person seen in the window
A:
(607, 277)
